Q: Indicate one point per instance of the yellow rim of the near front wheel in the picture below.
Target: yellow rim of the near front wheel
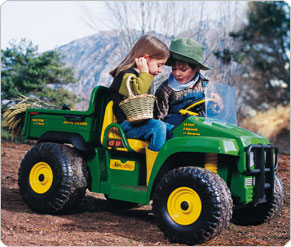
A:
(184, 206)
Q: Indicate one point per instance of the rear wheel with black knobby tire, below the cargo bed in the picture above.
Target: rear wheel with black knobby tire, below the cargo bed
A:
(52, 178)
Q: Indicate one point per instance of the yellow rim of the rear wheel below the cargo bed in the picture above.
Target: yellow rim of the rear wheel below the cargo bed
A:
(41, 177)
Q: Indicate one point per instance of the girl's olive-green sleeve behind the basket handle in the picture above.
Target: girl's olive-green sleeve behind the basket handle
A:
(139, 84)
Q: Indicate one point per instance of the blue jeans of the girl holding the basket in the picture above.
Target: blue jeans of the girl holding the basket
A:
(154, 131)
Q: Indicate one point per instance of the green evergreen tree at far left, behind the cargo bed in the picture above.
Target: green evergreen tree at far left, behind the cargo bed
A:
(29, 73)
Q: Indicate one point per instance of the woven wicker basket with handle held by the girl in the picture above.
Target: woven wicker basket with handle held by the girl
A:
(137, 108)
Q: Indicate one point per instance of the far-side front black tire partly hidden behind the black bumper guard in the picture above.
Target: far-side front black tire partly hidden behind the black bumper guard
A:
(264, 212)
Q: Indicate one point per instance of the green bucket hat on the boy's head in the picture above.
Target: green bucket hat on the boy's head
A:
(187, 50)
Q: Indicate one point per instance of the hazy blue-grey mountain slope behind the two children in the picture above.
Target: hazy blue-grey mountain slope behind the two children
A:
(93, 57)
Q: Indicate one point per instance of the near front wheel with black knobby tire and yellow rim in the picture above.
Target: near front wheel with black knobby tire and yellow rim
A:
(215, 210)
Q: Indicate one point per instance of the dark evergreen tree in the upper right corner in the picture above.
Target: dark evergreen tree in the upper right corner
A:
(262, 47)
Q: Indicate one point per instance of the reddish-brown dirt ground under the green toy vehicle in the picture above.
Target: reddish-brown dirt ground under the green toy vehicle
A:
(95, 225)
